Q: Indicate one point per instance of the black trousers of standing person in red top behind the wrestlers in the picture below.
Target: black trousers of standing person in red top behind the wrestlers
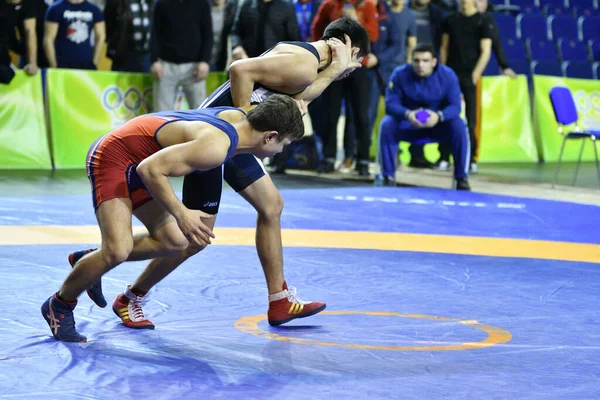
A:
(358, 85)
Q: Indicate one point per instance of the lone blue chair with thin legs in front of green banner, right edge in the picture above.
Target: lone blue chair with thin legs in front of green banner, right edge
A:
(565, 112)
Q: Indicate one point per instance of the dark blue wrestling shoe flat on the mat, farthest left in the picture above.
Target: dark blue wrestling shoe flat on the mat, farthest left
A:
(59, 316)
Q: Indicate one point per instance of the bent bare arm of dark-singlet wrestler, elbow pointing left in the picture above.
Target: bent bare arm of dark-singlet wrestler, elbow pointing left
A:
(281, 71)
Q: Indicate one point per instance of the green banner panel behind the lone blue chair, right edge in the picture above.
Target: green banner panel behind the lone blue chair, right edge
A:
(587, 99)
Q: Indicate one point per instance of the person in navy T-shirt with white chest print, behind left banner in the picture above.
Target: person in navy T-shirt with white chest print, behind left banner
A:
(74, 34)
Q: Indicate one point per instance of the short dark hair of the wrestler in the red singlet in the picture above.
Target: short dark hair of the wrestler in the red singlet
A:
(278, 113)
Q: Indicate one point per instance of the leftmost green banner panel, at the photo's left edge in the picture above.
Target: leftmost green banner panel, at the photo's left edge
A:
(23, 139)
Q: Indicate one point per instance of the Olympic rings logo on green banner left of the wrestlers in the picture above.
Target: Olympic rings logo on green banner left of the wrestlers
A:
(127, 104)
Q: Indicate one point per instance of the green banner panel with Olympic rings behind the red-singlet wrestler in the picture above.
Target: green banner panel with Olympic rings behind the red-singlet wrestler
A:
(84, 105)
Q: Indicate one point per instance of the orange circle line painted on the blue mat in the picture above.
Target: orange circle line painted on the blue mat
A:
(495, 335)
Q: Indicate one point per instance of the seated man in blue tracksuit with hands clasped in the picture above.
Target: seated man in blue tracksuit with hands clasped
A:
(422, 101)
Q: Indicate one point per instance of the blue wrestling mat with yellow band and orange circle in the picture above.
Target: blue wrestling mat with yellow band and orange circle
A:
(431, 294)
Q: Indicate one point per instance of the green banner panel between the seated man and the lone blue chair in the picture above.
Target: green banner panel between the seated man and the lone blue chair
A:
(506, 128)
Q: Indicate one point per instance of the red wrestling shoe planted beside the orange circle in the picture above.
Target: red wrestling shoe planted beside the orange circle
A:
(285, 306)
